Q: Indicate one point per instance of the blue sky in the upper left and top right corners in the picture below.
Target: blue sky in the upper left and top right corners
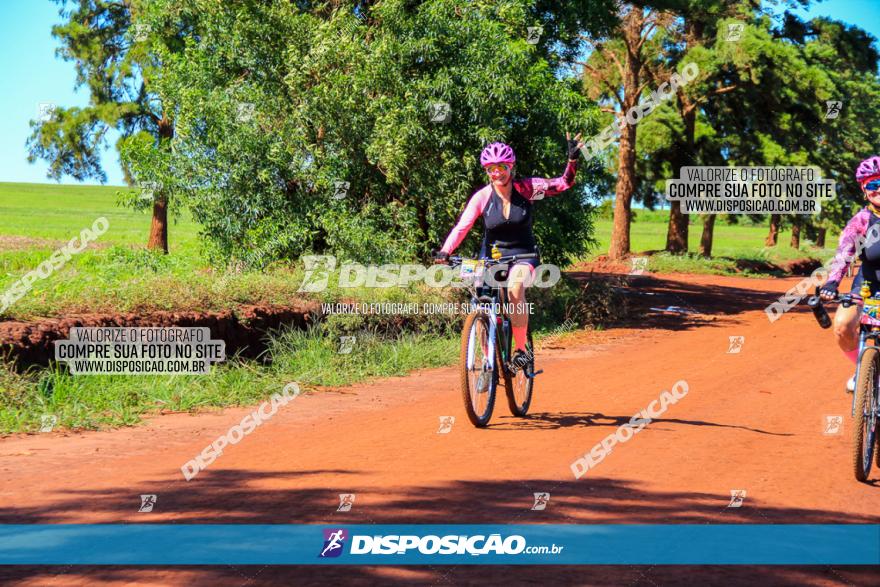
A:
(36, 76)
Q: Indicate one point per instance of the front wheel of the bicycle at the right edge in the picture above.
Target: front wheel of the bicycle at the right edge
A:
(865, 421)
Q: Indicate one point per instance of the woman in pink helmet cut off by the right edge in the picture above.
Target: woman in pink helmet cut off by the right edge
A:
(846, 320)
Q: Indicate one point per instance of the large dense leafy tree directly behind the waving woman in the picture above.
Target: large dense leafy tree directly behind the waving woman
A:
(350, 100)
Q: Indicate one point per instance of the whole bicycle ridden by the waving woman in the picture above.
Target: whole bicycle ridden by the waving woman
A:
(486, 345)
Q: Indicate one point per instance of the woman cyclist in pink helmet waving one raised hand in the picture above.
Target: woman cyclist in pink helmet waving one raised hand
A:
(506, 207)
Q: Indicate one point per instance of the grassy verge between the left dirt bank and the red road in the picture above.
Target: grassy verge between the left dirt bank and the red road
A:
(311, 359)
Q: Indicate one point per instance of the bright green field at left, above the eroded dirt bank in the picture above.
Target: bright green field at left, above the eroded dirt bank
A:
(118, 275)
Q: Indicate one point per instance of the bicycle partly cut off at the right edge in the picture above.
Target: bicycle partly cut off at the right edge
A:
(866, 397)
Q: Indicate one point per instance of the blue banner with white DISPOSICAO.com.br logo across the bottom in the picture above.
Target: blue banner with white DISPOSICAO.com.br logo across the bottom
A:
(454, 544)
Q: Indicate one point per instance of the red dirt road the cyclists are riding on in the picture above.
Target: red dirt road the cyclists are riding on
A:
(753, 421)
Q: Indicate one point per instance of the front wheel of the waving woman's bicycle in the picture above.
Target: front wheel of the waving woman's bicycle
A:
(479, 374)
